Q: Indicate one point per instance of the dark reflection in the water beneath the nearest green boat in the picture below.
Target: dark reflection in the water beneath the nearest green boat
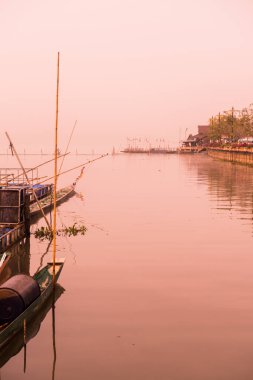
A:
(17, 343)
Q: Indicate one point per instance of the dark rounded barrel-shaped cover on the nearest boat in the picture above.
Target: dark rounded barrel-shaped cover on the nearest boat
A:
(16, 295)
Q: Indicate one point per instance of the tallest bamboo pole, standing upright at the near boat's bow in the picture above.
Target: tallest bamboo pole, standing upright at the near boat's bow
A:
(55, 165)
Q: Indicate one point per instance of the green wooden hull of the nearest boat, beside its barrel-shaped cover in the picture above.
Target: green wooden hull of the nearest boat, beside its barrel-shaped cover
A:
(45, 280)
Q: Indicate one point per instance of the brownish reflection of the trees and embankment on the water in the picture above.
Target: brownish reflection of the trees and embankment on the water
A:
(230, 186)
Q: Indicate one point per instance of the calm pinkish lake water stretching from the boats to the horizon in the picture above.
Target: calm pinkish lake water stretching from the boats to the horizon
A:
(161, 285)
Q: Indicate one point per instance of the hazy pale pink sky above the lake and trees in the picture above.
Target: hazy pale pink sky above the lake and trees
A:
(129, 68)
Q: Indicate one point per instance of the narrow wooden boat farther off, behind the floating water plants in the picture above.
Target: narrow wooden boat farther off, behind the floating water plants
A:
(47, 203)
